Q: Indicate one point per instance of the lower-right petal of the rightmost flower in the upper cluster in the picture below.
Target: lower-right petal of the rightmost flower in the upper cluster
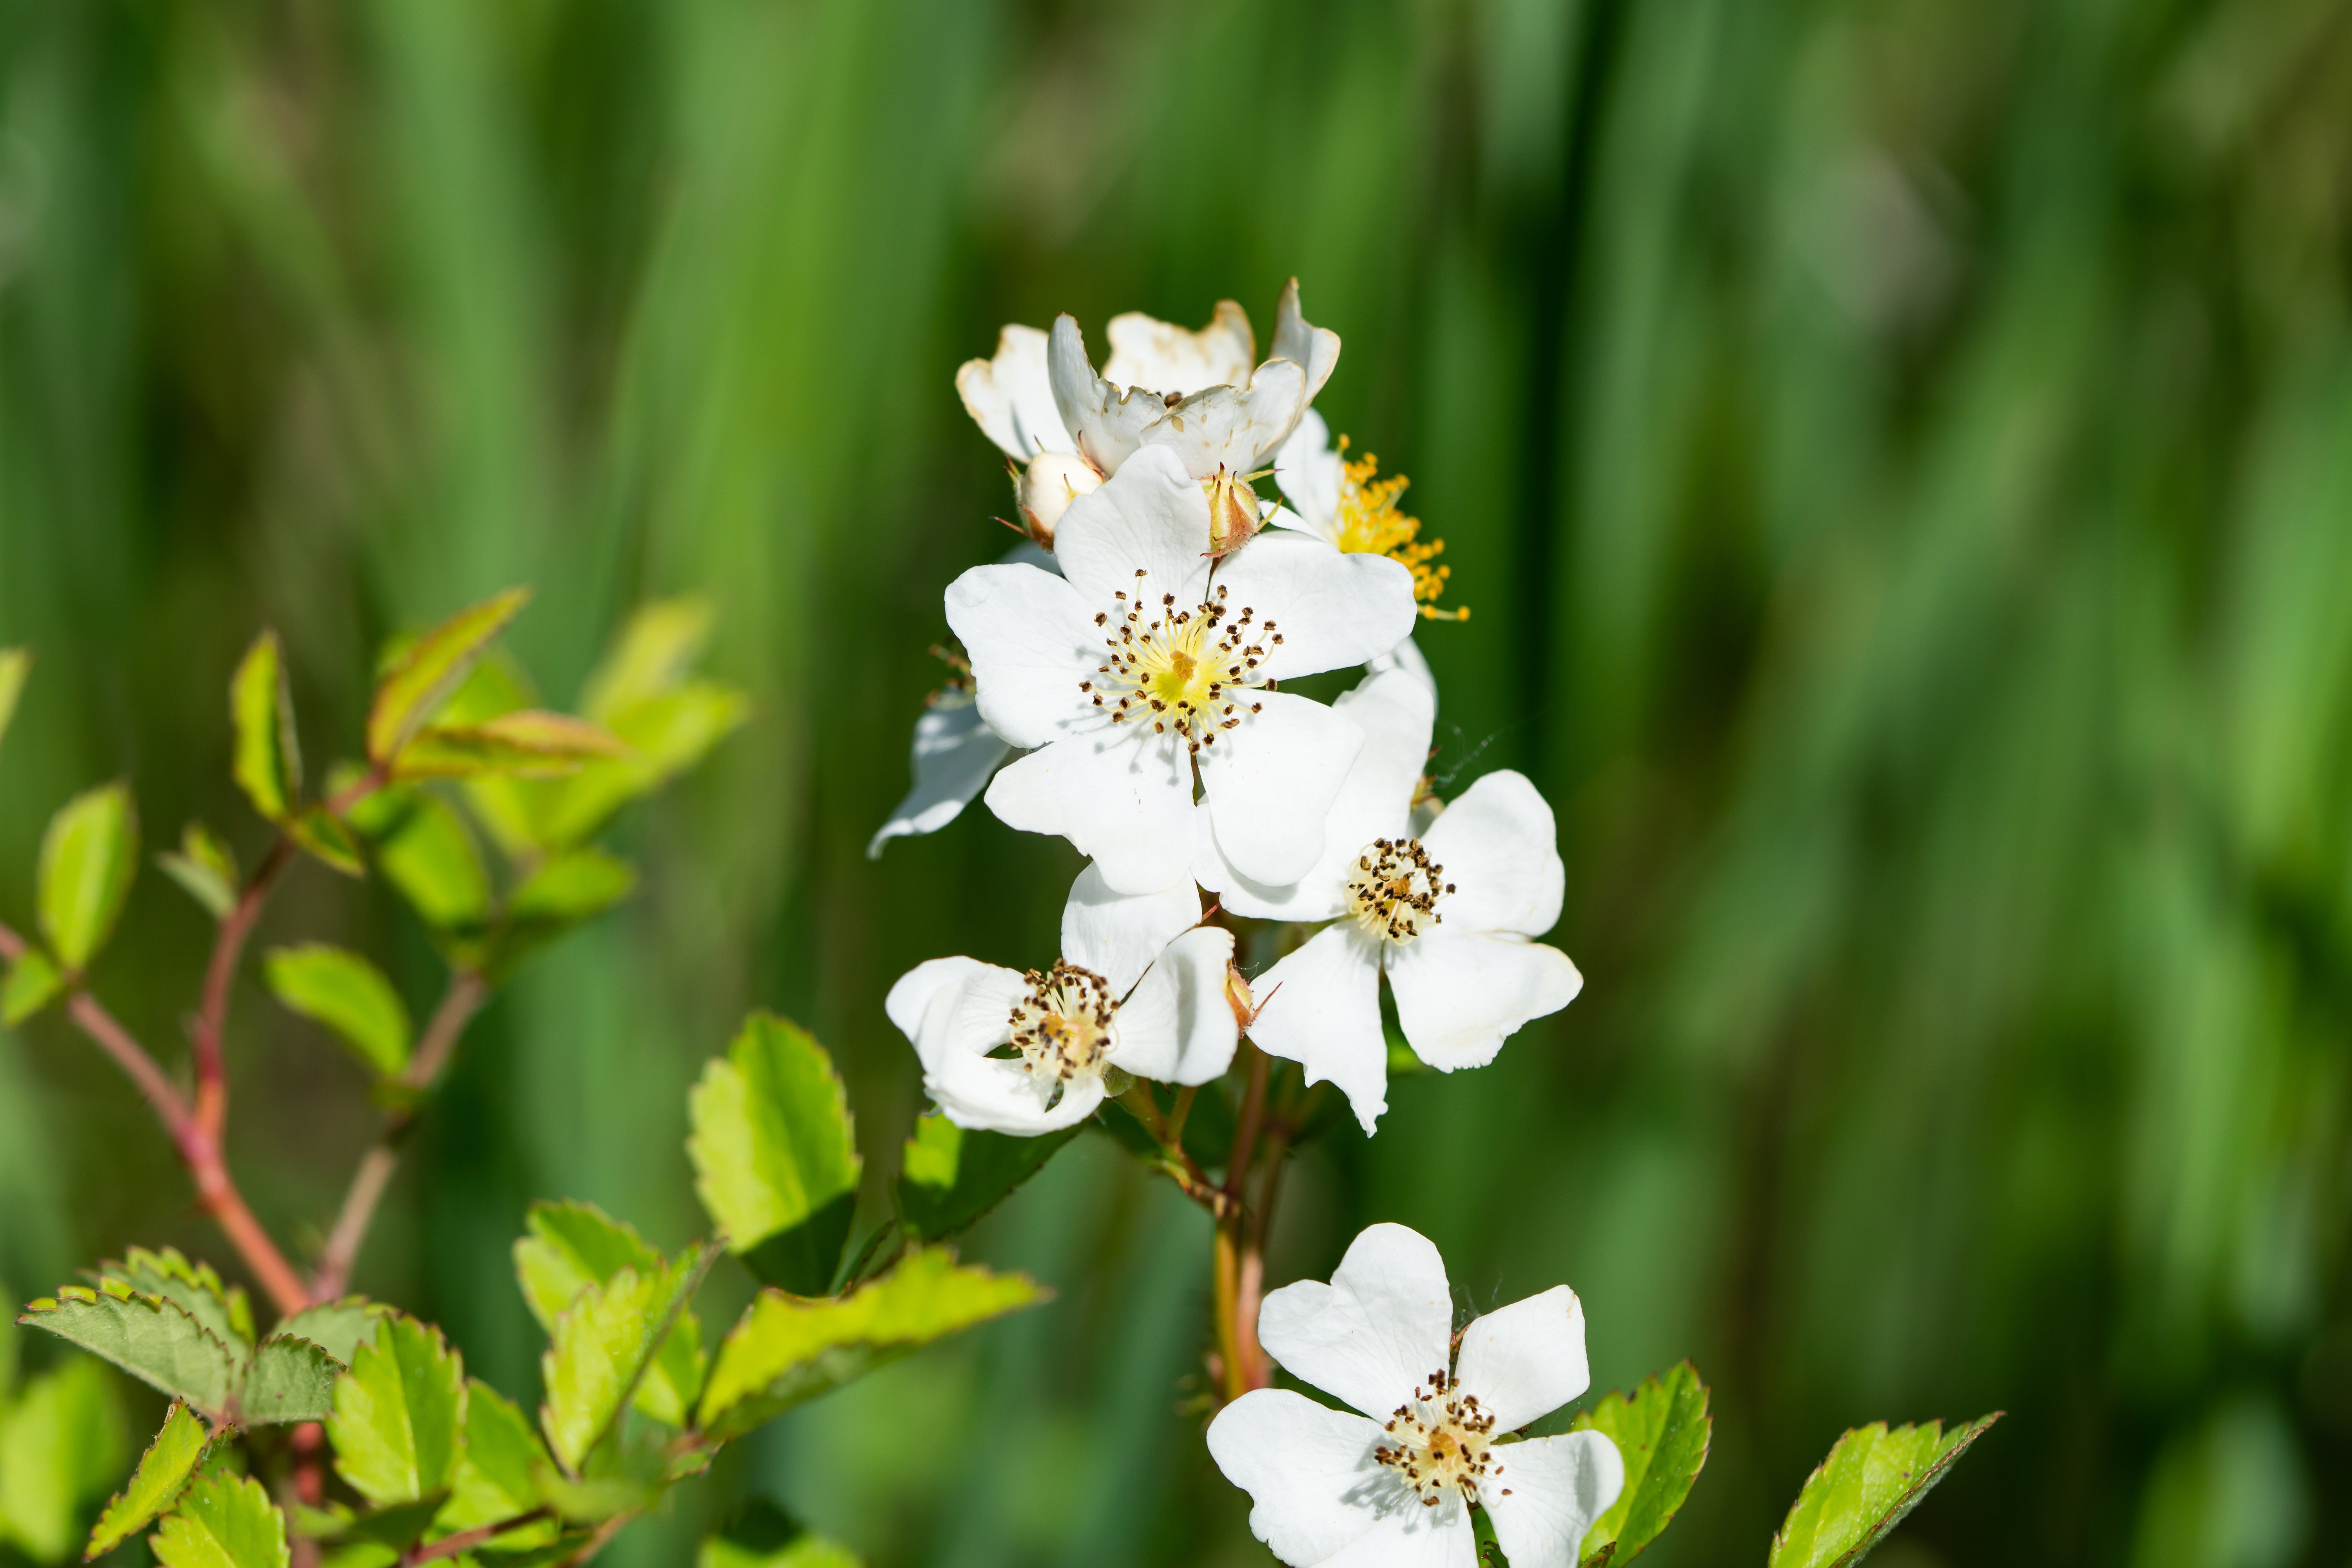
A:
(1462, 993)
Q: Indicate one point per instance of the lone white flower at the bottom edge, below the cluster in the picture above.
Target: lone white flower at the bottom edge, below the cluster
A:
(1396, 1485)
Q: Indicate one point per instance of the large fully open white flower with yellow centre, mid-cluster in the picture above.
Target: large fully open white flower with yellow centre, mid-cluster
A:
(1149, 662)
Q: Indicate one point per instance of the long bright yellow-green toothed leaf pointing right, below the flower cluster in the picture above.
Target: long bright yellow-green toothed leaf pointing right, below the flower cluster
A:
(787, 1351)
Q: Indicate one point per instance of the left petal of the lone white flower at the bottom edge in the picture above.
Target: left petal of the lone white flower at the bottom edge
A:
(1309, 1473)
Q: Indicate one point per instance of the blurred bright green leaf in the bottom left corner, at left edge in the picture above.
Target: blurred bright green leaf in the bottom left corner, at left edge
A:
(60, 1452)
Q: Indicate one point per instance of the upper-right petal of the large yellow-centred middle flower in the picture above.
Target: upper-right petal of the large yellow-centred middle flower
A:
(1330, 608)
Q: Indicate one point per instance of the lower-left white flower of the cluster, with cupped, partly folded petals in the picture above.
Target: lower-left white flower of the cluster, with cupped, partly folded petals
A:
(1142, 989)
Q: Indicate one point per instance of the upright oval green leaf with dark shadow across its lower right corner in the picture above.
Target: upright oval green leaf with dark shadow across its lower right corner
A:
(775, 1155)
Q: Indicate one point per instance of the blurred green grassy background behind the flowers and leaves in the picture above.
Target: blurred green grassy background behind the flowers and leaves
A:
(1902, 467)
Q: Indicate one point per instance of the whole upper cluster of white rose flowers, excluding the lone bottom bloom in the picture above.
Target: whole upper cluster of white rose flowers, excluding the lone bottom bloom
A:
(1130, 662)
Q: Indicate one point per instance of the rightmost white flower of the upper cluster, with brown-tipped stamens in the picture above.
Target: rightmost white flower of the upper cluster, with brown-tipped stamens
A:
(1448, 916)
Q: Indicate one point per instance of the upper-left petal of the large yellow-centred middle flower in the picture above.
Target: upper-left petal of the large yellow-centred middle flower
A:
(1031, 641)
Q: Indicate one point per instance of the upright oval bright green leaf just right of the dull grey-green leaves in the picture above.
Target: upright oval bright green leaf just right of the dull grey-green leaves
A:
(399, 1414)
